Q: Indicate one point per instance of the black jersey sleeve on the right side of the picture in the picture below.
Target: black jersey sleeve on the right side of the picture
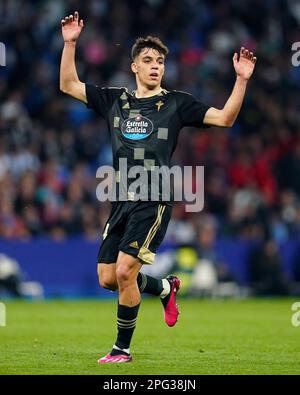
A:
(191, 111)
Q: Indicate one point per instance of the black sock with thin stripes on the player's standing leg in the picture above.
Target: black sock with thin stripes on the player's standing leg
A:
(126, 321)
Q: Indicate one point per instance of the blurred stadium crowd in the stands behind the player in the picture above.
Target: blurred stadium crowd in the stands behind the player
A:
(51, 145)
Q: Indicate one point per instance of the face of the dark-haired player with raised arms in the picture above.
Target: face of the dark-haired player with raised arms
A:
(149, 67)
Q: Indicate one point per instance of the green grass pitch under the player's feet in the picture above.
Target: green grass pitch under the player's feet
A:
(211, 337)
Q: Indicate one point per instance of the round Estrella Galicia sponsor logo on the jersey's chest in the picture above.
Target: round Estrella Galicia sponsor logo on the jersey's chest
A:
(137, 128)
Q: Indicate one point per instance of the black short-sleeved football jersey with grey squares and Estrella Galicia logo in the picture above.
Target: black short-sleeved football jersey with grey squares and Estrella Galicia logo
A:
(144, 133)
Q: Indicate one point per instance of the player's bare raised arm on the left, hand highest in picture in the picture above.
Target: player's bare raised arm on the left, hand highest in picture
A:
(70, 84)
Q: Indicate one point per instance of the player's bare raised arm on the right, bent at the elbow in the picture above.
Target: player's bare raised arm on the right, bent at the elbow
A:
(244, 66)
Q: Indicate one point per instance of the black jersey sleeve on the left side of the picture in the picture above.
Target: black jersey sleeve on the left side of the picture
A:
(101, 99)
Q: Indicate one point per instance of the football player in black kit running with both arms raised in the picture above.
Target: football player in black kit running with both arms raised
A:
(144, 126)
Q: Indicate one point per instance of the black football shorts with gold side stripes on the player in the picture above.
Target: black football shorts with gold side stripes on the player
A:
(136, 228)
